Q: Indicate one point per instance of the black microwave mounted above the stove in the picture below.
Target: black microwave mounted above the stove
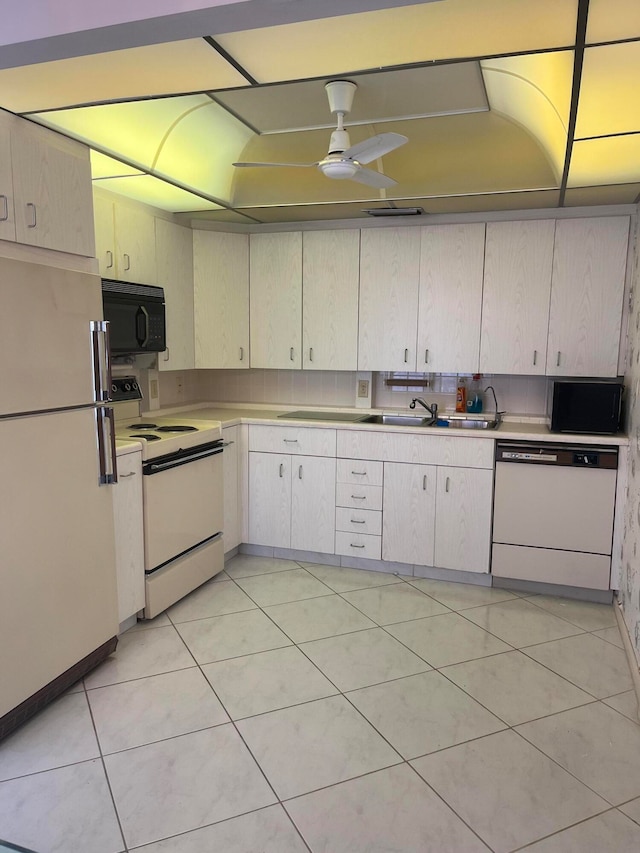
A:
(136, 316)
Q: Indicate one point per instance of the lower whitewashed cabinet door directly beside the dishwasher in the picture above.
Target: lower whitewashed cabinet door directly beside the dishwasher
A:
(463, 519)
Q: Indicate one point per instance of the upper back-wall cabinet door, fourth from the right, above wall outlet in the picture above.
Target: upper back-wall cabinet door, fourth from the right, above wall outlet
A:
(389, 277)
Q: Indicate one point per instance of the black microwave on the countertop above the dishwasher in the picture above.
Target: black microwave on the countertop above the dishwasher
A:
(588, 405)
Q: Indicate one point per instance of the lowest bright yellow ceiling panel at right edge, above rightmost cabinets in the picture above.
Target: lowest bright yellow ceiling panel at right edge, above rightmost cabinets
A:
(609, 160)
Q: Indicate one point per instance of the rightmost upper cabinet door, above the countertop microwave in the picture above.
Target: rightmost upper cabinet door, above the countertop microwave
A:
(587, 289)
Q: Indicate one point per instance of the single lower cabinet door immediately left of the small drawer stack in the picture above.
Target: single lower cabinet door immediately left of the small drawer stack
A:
(313, 499)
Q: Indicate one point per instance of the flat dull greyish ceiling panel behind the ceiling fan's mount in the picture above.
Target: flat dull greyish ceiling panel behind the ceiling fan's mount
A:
(384, 96)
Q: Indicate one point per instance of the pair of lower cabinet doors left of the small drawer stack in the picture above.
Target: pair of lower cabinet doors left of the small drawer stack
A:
(292, 501)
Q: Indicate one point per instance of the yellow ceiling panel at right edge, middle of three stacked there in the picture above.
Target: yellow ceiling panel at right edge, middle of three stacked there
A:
(609, 96)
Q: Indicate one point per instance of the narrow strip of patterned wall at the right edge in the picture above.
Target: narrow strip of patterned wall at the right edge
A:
(630, 581)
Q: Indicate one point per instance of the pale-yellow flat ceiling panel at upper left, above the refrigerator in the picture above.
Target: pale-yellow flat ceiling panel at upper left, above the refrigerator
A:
(162, 69)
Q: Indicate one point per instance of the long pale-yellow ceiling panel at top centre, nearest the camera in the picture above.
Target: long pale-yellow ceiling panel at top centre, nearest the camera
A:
(399, 36)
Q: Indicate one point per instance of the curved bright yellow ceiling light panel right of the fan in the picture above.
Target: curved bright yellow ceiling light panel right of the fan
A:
(534, 91)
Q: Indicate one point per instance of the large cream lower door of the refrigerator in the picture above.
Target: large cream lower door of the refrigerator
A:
(58, 599)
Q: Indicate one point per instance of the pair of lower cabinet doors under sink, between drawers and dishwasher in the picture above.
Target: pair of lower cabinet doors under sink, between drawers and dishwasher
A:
(437, 516)
